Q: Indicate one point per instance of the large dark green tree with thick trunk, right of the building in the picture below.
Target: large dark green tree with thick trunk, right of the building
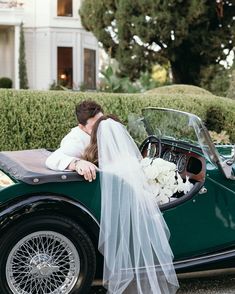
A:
(191, 35)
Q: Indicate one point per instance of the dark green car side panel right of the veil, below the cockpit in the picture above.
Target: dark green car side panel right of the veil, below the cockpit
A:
(206, 222)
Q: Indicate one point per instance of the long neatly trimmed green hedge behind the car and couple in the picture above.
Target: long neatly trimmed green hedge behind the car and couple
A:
(38, 119)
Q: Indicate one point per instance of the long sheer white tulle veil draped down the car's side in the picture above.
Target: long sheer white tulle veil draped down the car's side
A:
(133, 234)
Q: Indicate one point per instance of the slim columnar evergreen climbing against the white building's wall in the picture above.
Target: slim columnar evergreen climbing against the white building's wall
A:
(22, 62)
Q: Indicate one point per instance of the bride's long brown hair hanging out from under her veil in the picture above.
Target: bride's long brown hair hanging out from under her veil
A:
(91, 152)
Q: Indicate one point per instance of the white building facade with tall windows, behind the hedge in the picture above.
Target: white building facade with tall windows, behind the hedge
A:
(57, 47)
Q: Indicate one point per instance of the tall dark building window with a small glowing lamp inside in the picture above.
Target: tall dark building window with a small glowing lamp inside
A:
(65, 66)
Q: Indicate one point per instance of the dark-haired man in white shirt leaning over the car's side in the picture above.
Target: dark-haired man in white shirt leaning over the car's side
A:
(72, 146)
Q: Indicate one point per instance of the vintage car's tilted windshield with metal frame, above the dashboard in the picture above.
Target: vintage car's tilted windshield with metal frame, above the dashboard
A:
(174, 125)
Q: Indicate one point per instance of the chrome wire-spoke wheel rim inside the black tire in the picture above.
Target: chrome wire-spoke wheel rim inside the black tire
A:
(43, 262)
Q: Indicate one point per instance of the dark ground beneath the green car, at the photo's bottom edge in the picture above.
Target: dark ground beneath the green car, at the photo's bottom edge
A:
(217, 285)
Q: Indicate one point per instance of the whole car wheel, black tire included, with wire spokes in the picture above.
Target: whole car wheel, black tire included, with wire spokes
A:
(46, 255)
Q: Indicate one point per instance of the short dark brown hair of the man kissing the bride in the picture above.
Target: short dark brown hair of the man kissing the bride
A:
(87, 109)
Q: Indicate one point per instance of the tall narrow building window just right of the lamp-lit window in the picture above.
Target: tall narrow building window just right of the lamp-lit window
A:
(90, 68)
